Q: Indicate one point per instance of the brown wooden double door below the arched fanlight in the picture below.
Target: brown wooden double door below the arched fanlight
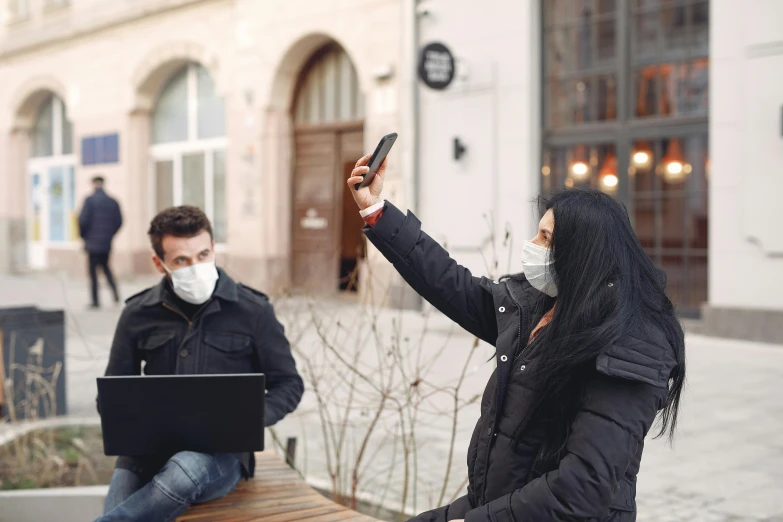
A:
(327, 241)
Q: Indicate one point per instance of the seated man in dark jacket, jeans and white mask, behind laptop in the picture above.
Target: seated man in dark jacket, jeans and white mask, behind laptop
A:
(196, 321)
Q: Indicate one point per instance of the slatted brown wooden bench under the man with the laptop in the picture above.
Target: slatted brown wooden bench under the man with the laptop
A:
(276, 494)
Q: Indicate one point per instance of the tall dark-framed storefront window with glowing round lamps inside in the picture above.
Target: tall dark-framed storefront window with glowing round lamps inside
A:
(635, 148)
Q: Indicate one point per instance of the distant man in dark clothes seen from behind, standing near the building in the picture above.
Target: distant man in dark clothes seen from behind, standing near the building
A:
(99, 222)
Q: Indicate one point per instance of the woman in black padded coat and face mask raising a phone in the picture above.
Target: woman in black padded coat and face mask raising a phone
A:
(589, 351)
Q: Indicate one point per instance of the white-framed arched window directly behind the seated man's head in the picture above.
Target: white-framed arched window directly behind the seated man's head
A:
(188, 146)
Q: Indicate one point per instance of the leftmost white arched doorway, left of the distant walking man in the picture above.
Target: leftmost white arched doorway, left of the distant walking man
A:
(51, 206)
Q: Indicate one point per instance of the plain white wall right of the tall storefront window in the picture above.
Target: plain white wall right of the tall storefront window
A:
(746, 152)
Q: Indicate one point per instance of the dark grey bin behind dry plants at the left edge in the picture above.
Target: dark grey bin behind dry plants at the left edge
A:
(32, 343)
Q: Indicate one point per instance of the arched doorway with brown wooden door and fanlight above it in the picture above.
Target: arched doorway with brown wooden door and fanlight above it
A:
(328, 115)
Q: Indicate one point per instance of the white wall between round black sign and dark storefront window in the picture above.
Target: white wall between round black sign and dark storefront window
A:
(492, 107)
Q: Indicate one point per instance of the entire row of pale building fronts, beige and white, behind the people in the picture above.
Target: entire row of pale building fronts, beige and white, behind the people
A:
(257, 110)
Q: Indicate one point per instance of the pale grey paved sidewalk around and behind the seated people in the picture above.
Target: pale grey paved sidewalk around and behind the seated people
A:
(726, 463)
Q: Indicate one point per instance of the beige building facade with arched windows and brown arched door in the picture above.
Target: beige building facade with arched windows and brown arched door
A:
(202, 102)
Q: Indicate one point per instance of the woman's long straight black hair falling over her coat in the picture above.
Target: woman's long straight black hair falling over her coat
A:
(607, 287)
